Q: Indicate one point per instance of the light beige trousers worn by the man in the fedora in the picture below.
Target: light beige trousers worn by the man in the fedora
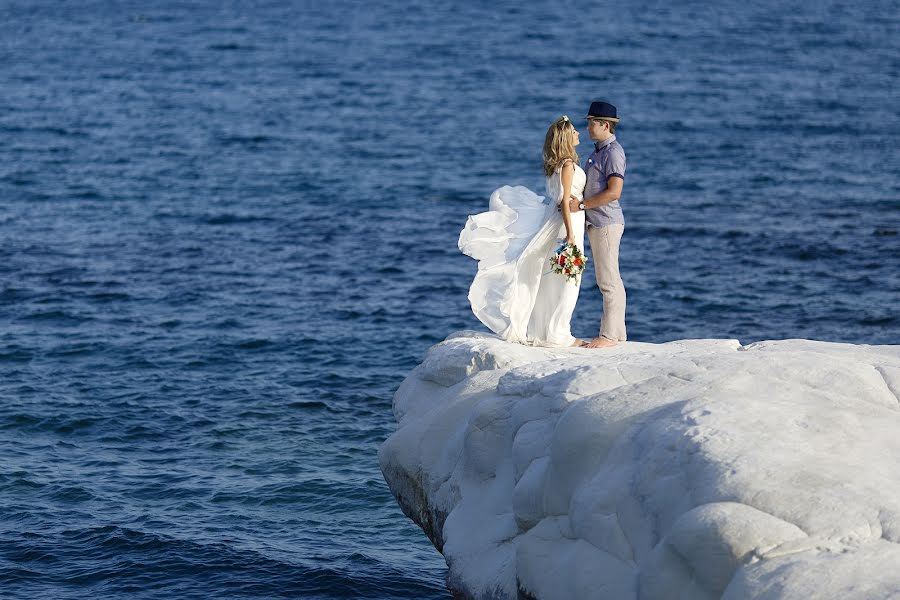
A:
(605, 248)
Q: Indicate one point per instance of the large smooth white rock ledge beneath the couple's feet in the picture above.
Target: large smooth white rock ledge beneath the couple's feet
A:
(690, 470)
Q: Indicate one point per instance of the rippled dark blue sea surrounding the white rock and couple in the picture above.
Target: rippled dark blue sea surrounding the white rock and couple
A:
(228, 230)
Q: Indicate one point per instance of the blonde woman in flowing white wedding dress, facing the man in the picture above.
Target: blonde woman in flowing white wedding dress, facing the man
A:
(515, 292)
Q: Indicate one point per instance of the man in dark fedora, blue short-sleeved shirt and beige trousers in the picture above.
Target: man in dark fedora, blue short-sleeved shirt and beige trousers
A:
(605, 170)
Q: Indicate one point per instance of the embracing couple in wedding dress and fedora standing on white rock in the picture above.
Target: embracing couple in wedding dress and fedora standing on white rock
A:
(514, 293)
